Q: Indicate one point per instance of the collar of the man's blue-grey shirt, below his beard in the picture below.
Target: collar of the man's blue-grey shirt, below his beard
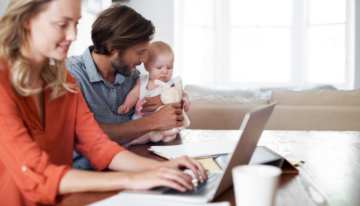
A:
(94, 75)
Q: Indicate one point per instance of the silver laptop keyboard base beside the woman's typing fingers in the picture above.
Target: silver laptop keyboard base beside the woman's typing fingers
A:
(200, 188)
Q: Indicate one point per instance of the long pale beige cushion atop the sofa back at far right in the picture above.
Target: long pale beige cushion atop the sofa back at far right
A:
(317, 97)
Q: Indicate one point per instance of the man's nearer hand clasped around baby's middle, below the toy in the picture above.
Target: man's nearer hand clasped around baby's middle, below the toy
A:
(168, 117)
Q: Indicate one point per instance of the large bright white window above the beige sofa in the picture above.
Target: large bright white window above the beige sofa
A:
(261, 43)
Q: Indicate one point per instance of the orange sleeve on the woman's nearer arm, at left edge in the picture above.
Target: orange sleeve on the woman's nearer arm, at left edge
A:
(29, 166)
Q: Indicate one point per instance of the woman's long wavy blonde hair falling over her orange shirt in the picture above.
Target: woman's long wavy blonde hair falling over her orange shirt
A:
(13, 37)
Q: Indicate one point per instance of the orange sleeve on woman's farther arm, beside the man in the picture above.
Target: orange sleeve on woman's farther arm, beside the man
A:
(90, 140)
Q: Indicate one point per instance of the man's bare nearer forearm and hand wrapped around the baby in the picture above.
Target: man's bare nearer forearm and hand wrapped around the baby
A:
(167, 117)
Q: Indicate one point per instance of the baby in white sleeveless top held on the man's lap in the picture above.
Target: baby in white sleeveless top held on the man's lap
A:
(160, 66)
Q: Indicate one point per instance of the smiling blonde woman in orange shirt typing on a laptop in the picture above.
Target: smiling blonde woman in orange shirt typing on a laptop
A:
(43, 117)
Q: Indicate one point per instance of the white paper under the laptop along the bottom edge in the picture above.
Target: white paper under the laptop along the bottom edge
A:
(125, 199)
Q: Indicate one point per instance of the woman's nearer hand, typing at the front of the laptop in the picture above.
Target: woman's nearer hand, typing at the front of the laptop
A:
(160, 177)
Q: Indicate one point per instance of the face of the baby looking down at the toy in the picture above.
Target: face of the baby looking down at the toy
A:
(161, 67)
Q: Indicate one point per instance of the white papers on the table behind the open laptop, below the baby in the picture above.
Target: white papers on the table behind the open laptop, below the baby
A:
(196, 150)
